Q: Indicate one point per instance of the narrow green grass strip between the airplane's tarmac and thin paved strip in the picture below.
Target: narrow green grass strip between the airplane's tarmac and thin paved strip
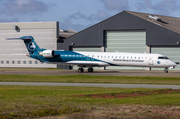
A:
(91, 79)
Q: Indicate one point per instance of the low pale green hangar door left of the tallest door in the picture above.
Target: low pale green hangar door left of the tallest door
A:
(87, 49)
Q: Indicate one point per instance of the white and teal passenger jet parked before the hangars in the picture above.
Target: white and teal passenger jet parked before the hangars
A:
(95, 59)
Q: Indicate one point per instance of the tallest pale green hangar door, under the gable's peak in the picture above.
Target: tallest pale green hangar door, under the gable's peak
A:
(125, 41)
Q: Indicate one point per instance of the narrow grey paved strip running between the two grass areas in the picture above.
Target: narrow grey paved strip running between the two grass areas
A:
(93, 85)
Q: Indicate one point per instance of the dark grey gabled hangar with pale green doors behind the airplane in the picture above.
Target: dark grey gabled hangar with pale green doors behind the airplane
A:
(129, 32)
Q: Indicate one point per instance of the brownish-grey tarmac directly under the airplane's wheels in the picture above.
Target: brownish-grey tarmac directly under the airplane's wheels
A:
(26, 71)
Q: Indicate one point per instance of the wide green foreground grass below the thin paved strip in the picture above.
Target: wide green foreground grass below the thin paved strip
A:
(39, 101)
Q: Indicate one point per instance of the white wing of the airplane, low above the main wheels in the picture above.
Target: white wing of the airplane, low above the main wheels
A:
(85, 63)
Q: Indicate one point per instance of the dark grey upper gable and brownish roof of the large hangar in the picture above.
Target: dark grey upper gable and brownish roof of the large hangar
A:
(160, 30)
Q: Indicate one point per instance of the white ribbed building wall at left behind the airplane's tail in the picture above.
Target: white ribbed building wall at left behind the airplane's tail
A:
(13, 52)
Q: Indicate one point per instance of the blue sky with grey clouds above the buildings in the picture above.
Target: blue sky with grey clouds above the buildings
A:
(80, 14)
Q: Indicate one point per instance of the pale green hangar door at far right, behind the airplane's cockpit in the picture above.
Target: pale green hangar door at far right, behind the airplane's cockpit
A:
(172, 53)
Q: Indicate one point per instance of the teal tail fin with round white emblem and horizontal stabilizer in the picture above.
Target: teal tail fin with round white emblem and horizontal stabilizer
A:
(31, 45)
